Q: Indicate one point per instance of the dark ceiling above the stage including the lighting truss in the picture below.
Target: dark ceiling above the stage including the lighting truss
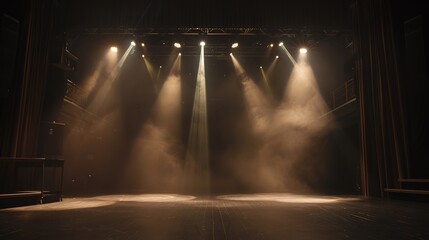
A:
(254, 24)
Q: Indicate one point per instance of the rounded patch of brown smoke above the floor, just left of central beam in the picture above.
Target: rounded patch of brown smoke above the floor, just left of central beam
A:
(155, 162)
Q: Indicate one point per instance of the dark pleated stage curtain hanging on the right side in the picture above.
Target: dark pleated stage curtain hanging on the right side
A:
(383, 146)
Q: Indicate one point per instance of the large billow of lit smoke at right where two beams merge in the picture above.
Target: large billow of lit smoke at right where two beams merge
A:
(286, 153)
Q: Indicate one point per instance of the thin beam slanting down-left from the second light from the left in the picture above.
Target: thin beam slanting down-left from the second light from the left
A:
(96, 102)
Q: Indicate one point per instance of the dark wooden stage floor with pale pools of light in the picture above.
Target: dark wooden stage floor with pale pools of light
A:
(255, 216)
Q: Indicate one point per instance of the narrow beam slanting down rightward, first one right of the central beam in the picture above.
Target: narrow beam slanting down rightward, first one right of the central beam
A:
(258, 108)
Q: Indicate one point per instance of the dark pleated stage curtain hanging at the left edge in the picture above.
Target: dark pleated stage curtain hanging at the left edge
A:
(32, 68)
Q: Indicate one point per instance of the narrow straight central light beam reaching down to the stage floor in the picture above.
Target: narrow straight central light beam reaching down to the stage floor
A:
(197, 154)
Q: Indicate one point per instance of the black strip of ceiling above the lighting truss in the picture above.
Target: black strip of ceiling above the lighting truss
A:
(204, 17)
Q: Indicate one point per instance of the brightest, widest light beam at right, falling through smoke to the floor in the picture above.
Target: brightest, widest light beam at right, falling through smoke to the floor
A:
(298, 128)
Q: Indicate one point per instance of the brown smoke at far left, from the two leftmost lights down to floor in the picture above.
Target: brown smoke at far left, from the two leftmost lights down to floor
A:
(94, 140)
